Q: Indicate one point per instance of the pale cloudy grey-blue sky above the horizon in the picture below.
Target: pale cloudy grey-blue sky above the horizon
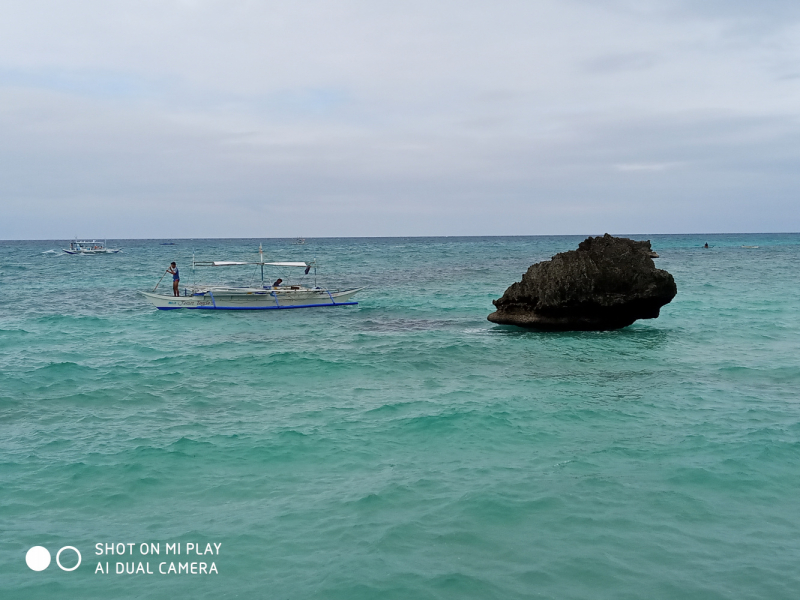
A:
(205, 118)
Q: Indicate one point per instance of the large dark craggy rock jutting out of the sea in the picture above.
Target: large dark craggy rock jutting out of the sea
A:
(607, 283)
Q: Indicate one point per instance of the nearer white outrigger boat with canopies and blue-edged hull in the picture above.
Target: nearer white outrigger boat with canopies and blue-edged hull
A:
(263, 297)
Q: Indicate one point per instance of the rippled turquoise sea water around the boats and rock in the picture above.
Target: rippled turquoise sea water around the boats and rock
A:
(404, 447)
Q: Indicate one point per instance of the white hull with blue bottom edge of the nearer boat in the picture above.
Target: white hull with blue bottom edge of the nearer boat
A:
(253, 299)
